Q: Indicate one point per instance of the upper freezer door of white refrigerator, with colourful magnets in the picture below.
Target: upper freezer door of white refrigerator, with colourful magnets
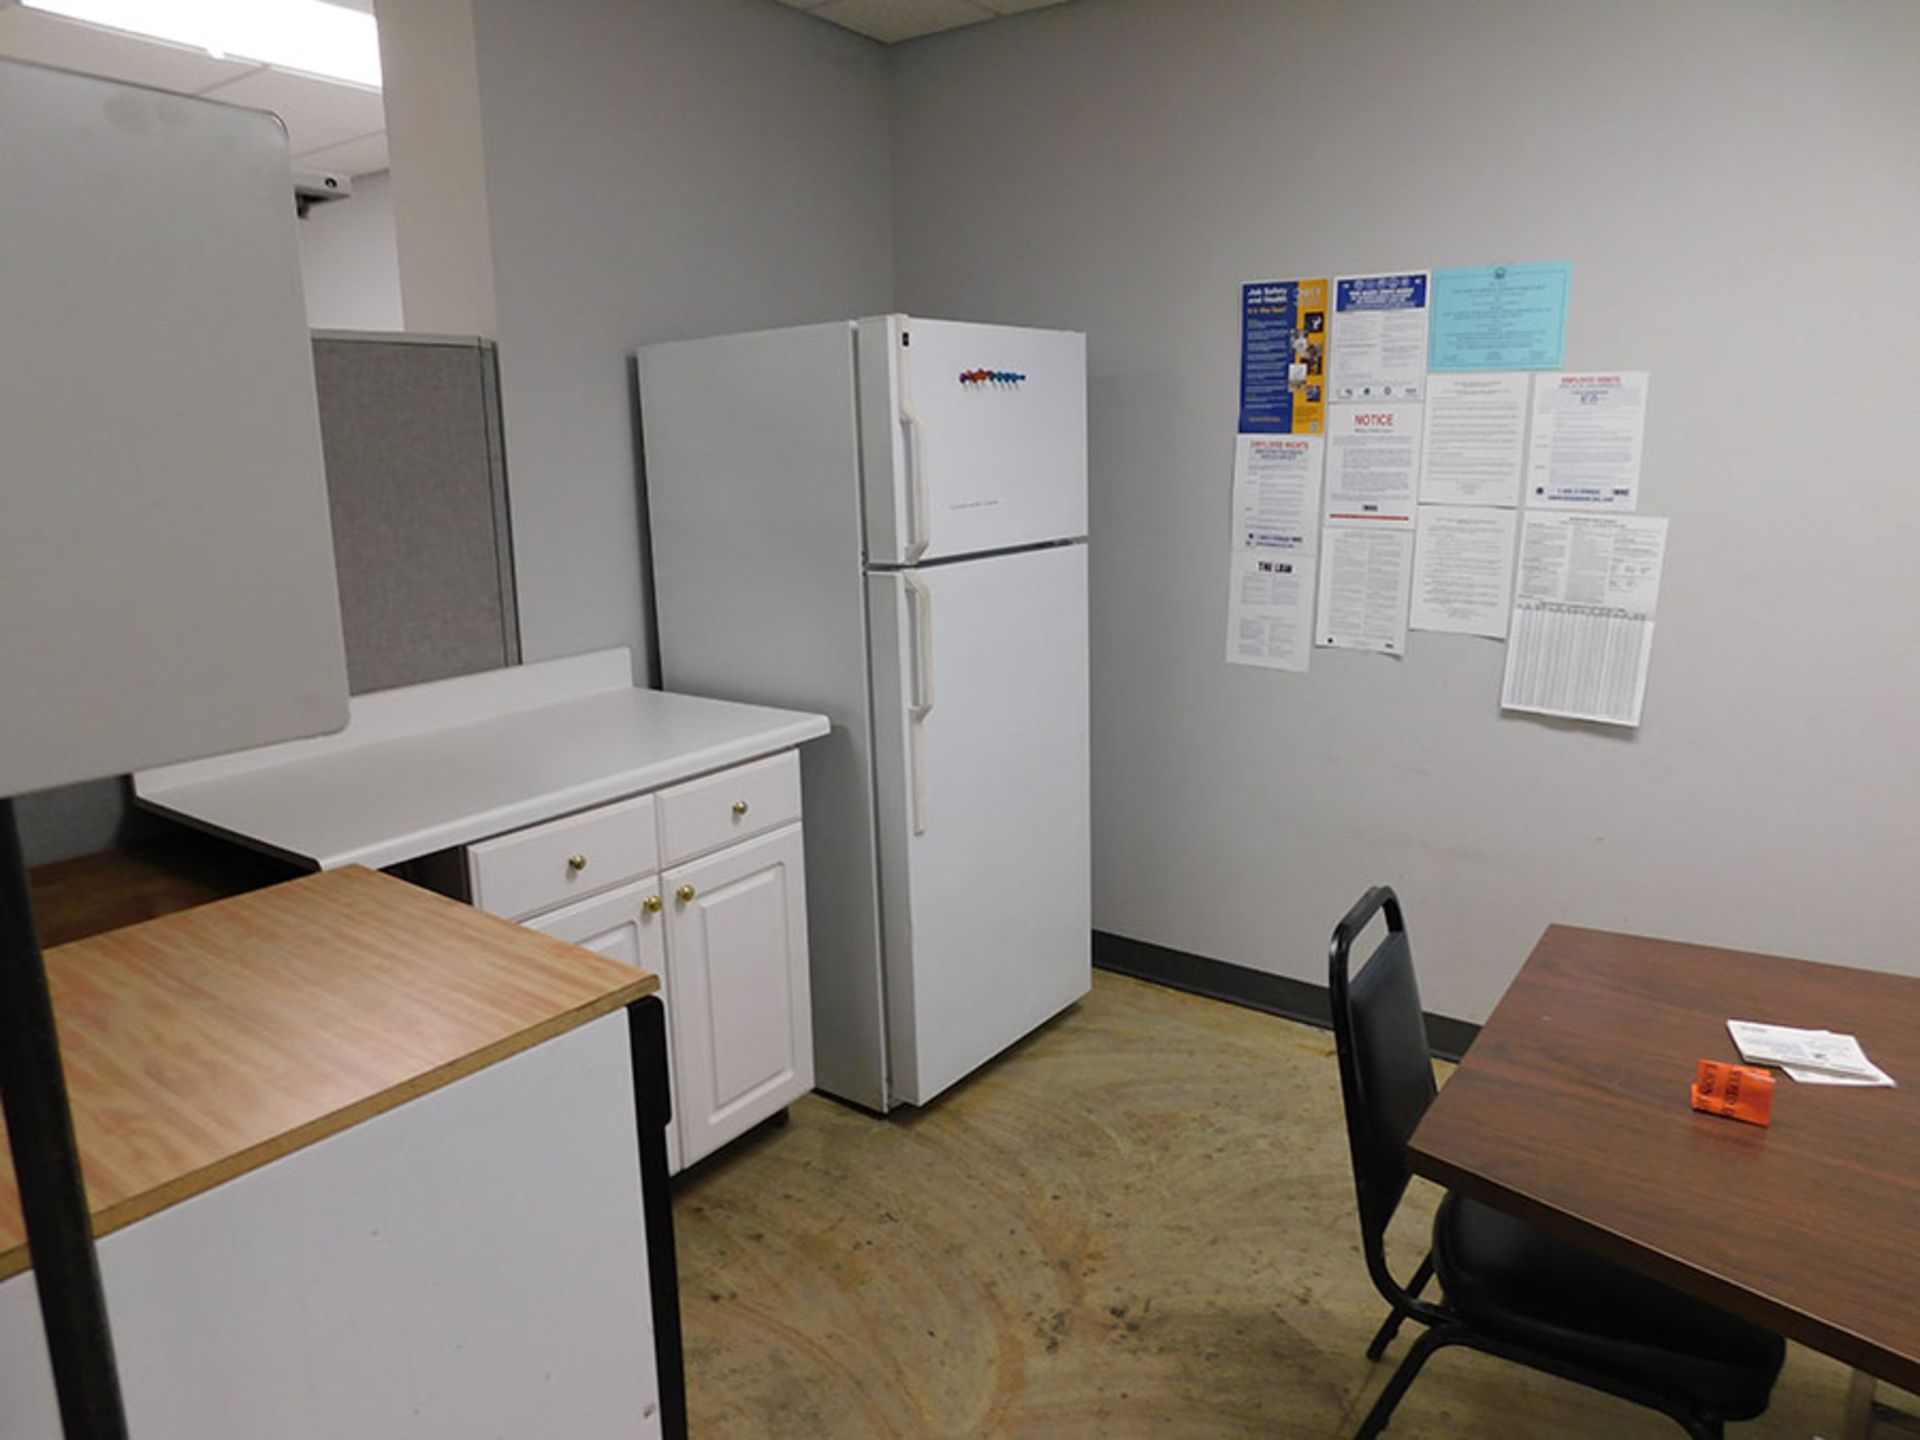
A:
(974, 437)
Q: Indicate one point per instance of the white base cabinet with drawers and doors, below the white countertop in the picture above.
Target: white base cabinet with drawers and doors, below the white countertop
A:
(725, 928)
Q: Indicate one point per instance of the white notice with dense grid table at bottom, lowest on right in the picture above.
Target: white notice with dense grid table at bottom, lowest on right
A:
(1583, 615)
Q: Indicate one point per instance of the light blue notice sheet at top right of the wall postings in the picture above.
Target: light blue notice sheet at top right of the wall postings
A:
(1500, 318)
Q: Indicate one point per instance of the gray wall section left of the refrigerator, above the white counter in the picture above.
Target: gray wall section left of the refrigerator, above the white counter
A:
(656, 170)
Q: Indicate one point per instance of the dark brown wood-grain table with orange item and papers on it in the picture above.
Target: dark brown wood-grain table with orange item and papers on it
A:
(1573, 1111)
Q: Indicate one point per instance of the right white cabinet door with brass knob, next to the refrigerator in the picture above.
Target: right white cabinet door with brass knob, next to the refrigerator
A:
(738, 965)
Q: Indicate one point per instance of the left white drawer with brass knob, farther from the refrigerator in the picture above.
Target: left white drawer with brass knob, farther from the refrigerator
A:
(537, 869)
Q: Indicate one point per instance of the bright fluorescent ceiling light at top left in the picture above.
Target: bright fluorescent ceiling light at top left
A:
(308, 36)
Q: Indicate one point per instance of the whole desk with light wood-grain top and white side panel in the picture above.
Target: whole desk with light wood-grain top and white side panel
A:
(366, 1163)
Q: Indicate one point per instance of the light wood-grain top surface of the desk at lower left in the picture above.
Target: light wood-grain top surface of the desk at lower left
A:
(222, 1038)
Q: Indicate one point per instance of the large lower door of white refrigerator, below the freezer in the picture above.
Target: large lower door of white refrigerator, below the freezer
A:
(980, 698)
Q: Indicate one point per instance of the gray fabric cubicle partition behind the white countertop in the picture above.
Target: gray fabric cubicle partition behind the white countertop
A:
(418, 489)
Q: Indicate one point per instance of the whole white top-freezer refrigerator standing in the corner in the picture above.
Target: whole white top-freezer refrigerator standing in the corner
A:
(886, 521)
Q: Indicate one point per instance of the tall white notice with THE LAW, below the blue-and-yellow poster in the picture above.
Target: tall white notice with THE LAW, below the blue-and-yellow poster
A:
(1276, 537)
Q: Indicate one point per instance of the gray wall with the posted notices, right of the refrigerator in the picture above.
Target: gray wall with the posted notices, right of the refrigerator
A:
(1737, 187)
